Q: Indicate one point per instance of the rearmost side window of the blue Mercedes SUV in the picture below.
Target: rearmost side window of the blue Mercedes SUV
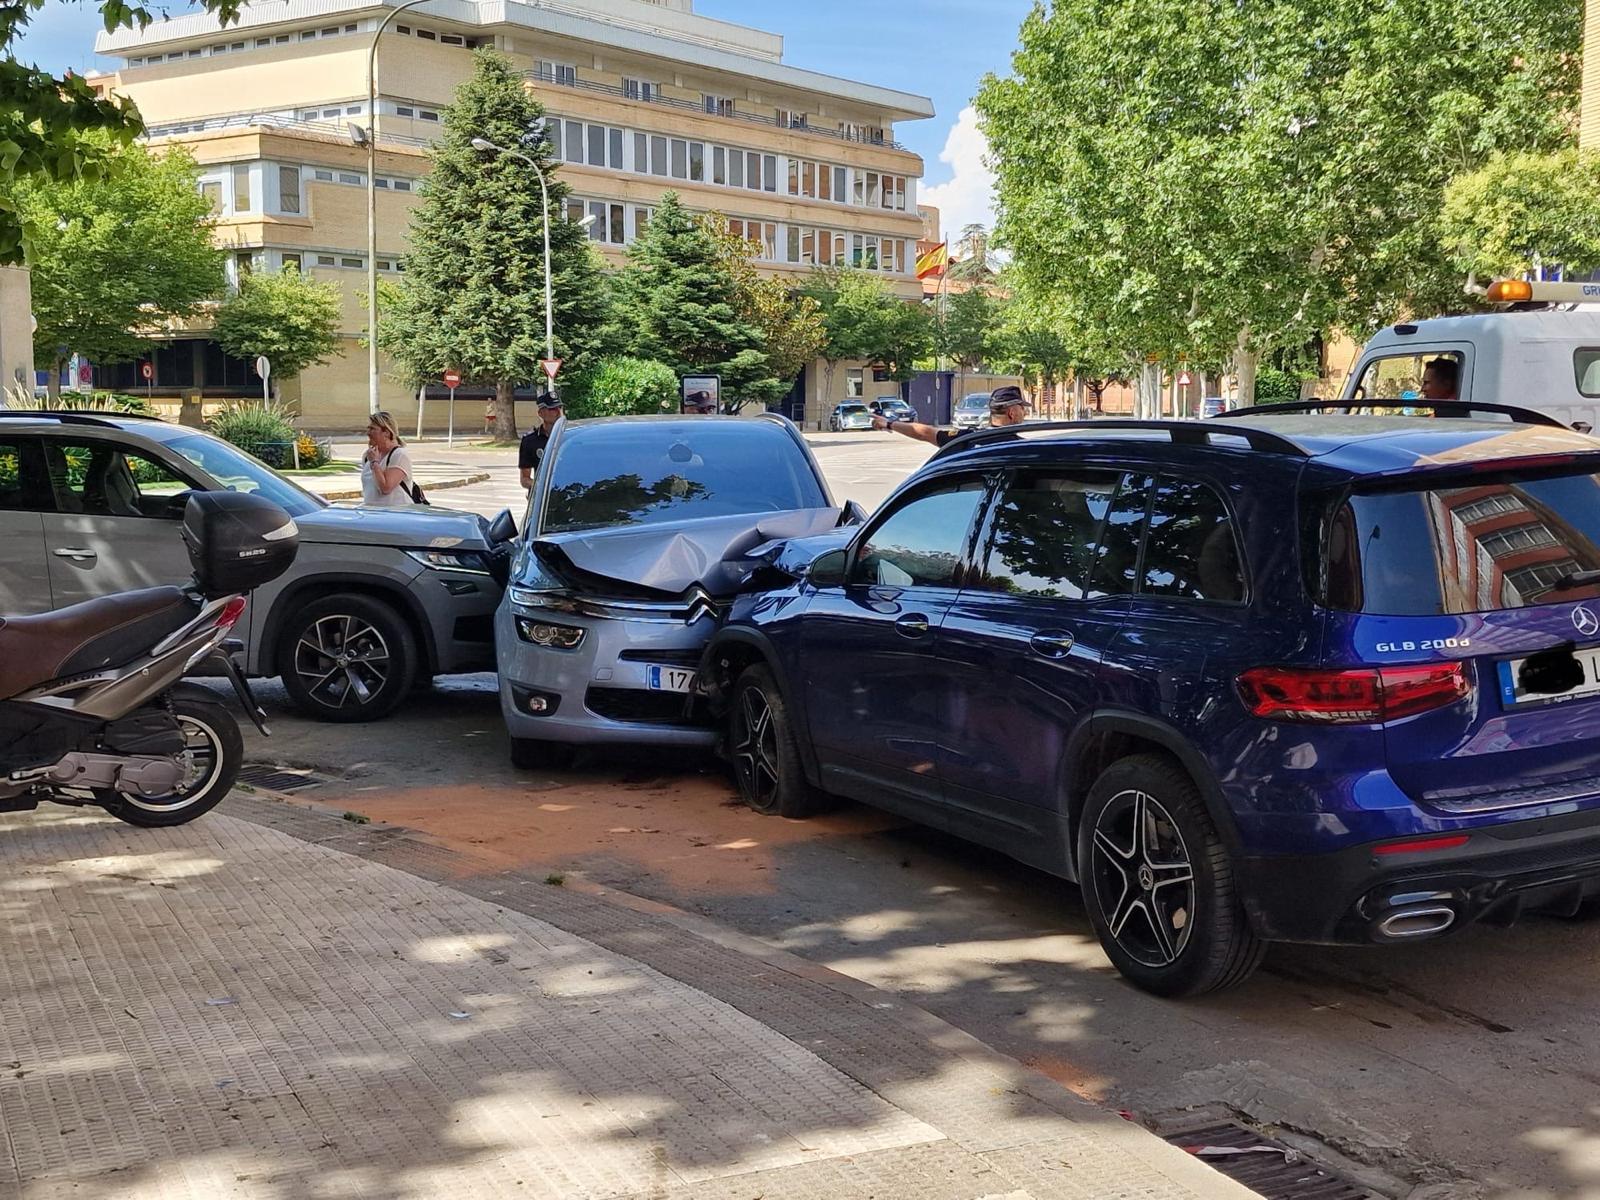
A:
(1190, 545)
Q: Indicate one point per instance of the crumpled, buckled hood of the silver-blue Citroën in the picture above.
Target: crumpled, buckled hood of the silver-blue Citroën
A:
(714, 553)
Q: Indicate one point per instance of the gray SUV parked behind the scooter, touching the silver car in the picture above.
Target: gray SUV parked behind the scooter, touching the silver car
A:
(378, 599)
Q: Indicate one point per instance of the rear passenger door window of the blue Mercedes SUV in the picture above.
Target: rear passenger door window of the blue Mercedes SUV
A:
(1042, 532)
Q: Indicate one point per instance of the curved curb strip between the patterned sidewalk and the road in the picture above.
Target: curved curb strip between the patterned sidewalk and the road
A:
(858, 1039)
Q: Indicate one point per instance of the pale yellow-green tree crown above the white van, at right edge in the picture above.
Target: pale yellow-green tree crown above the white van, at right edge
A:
(1524, 206)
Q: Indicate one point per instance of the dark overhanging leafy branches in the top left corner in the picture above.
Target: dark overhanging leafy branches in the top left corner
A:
(54, 129)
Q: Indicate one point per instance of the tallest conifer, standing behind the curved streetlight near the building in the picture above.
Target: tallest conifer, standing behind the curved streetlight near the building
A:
(473, 295)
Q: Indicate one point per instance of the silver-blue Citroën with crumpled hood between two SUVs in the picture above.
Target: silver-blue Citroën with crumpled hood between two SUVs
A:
(639, 534)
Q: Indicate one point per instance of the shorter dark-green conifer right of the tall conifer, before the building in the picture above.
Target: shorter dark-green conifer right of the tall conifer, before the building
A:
(681, 305)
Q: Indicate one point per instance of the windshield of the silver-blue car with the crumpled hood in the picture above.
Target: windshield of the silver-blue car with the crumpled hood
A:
(649, 473)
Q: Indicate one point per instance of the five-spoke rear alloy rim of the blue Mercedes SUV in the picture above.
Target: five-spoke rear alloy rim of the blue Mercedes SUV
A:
(1143, 879)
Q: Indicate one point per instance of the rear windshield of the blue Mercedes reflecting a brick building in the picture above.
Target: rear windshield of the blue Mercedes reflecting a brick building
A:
(1502, 543)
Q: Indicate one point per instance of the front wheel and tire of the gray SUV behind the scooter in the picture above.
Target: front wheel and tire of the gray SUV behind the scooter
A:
(348, 658)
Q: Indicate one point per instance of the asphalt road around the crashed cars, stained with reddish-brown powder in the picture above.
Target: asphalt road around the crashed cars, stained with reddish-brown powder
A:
(1466, 1068)
